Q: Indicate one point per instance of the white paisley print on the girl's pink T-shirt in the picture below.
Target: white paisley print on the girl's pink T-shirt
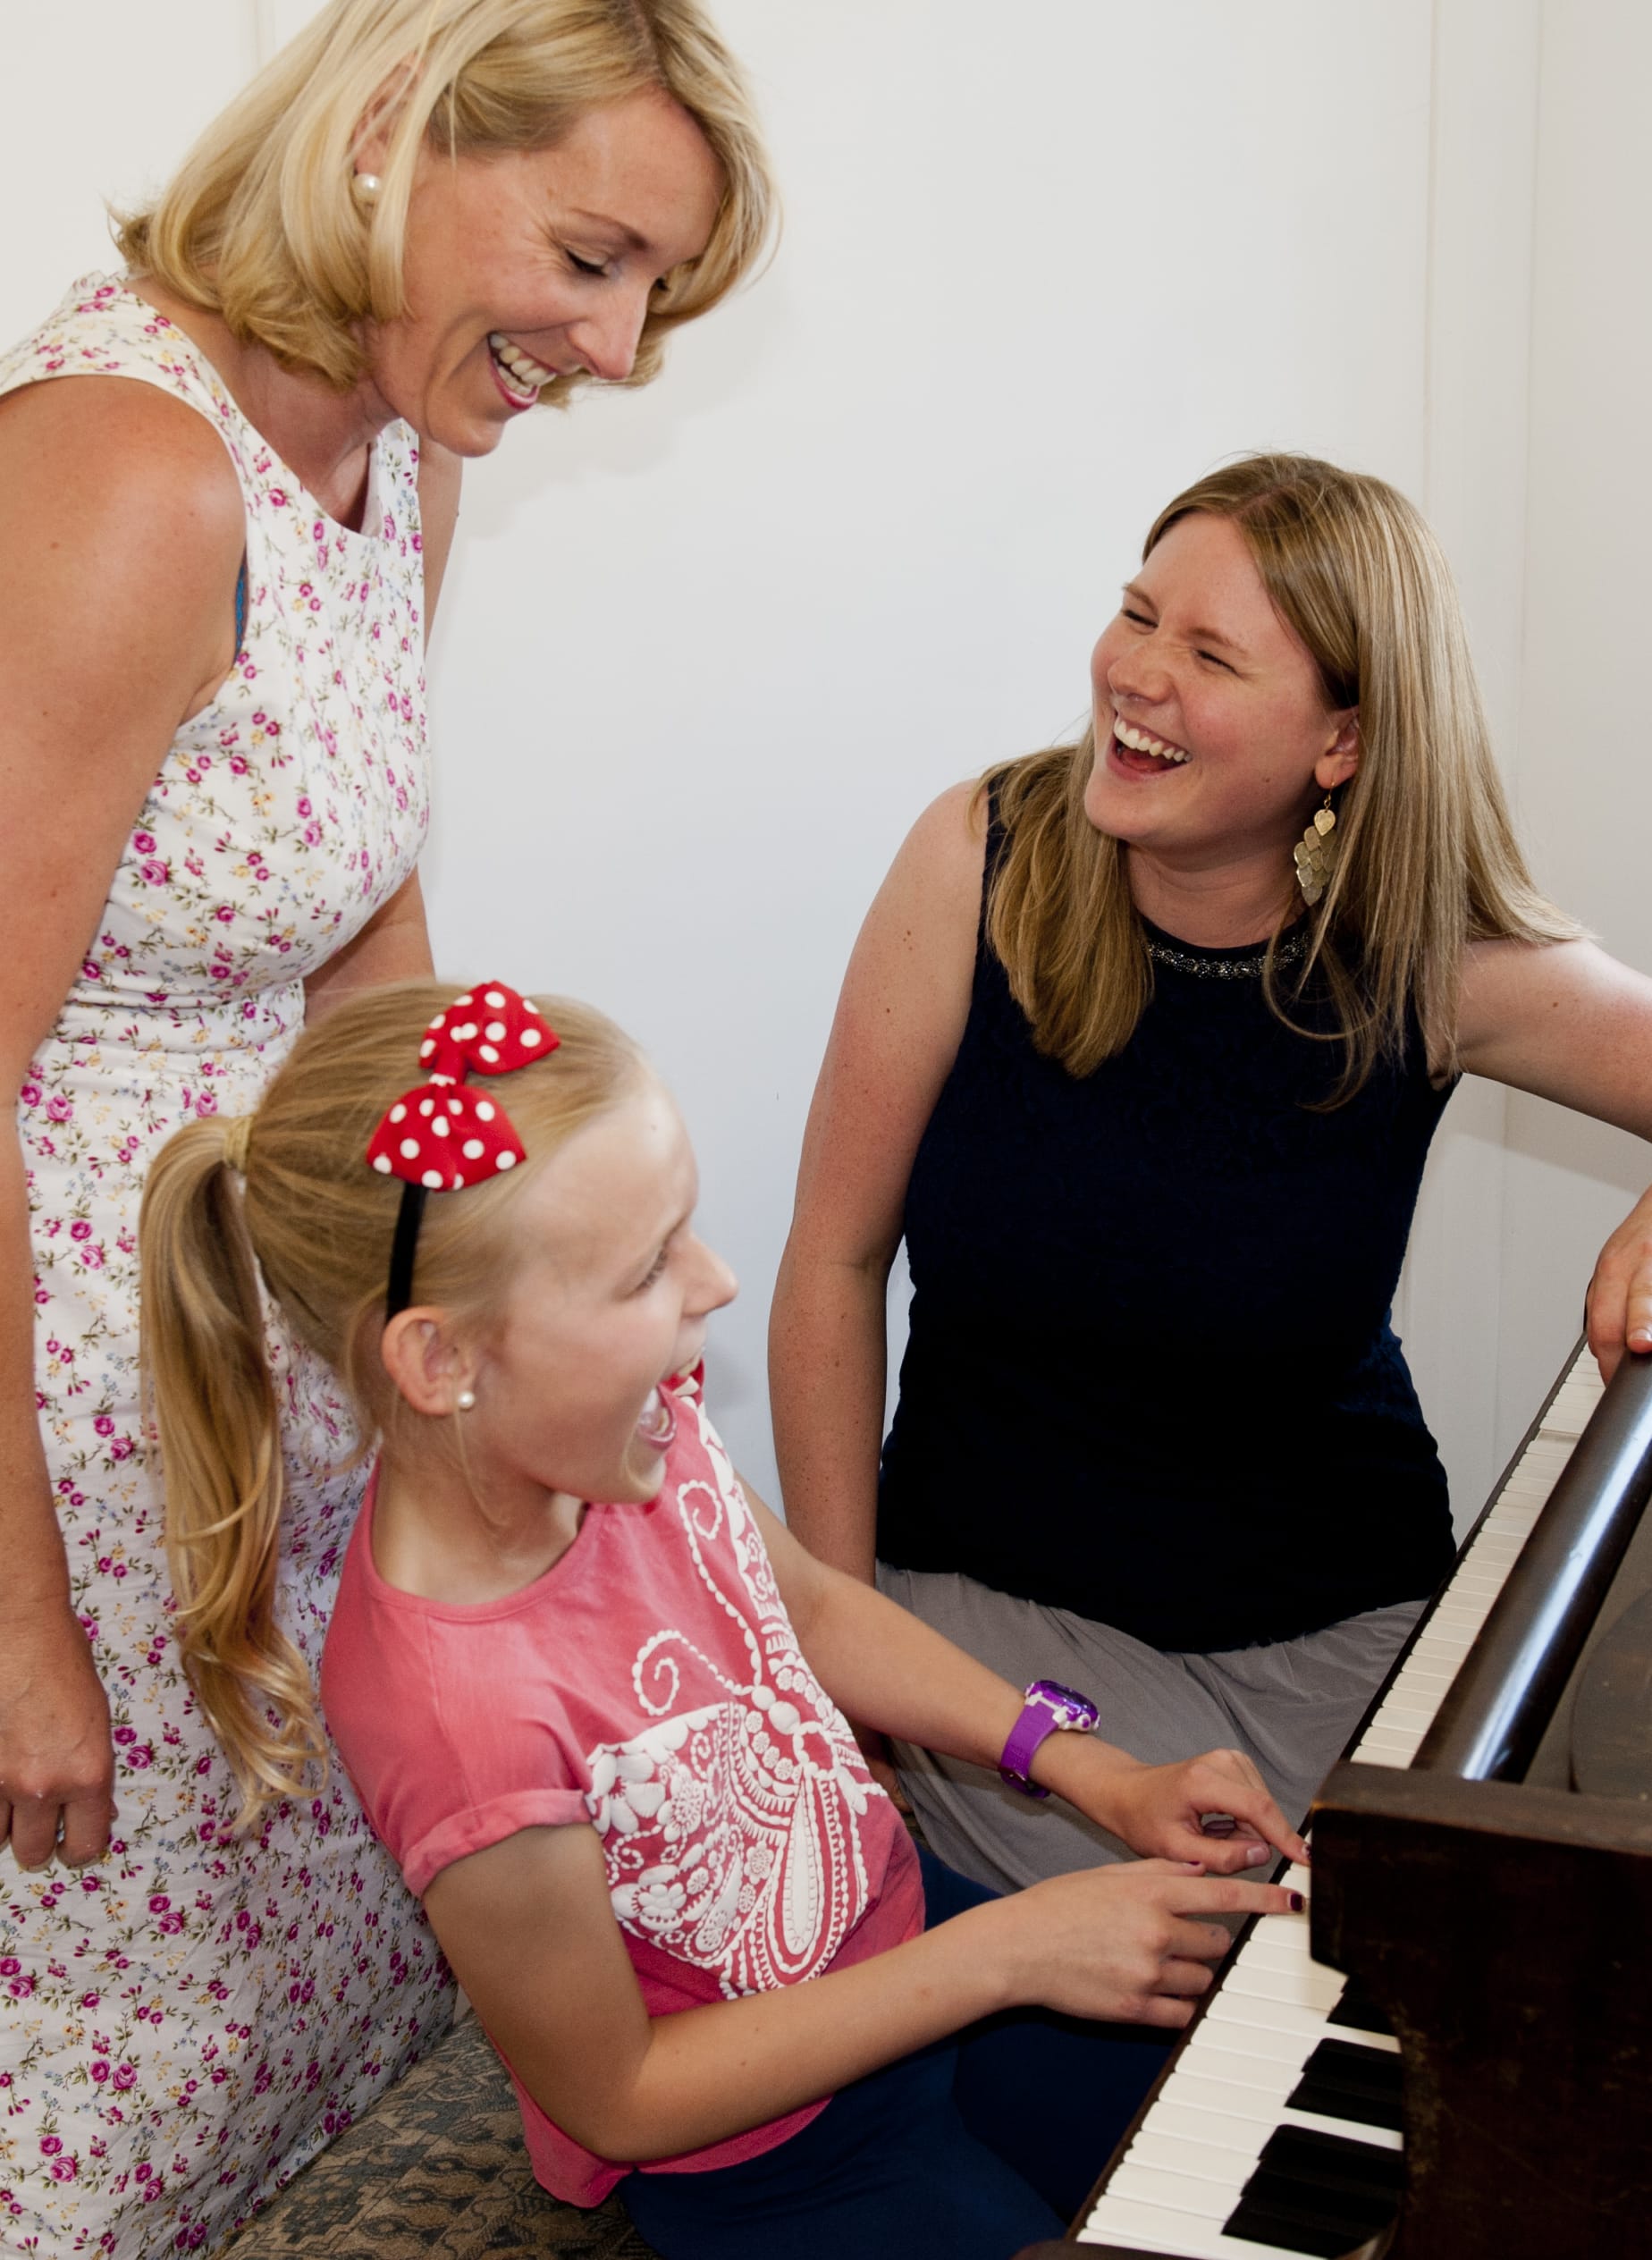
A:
(731, 1827)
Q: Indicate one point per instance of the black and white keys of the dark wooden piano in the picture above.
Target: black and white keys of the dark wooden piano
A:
(1276, 2128)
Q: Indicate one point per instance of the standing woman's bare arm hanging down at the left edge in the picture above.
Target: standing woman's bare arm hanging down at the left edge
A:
(121, 537)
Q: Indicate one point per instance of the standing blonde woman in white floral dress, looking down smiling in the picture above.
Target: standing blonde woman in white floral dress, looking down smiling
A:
(218, 559)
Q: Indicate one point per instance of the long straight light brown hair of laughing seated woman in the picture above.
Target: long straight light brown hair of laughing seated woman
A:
(1427, 855)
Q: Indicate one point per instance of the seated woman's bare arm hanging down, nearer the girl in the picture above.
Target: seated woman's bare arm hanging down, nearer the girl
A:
(894, 1041)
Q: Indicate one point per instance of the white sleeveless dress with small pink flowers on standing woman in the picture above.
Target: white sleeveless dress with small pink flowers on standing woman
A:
(184, 2026)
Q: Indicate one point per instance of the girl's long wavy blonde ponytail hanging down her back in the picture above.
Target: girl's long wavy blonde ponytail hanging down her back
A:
(216, 1416)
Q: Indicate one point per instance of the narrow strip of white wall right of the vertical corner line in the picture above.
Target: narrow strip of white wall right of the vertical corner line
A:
(1585, 781)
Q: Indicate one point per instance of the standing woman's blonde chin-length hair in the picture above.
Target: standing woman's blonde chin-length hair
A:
(263, 229)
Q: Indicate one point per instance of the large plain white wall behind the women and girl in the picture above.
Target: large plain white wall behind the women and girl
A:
(708, 650)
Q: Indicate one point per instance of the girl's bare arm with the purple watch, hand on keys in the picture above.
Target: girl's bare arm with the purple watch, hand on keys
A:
(885, 1667)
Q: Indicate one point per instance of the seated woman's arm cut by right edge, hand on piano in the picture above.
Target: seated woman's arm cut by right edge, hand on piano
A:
(1572, 1025)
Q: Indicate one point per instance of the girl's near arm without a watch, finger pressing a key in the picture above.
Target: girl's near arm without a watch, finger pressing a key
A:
(532, 1938)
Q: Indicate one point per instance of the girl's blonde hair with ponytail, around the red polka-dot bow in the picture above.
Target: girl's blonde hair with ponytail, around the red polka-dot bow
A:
(288, 1199)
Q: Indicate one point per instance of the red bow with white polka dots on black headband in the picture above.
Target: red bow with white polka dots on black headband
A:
(442, 1136)
